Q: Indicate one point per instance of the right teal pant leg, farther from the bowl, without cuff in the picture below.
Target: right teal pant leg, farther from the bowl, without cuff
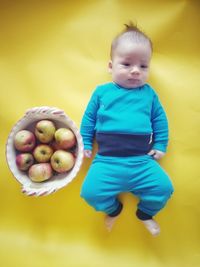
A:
(152, 186)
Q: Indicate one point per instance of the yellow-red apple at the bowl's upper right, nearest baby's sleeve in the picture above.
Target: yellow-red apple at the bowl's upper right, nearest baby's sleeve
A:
(65, 138)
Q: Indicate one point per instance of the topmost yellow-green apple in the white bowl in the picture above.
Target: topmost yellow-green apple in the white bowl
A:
(44, 131)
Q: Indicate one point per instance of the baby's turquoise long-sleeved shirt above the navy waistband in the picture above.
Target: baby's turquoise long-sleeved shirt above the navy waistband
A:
(114, 109)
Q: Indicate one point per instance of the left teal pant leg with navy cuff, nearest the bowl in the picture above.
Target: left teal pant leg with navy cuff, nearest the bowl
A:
(103, 184)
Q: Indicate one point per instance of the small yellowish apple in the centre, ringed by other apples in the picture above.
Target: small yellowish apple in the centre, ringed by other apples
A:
(42, 153)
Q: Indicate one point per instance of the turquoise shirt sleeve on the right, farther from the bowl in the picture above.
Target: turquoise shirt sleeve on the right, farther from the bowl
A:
(159, 125)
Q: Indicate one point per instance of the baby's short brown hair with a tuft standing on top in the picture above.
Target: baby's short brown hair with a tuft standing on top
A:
(131, 33)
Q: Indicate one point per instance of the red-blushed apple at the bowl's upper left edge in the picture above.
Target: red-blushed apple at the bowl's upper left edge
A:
(24, 141)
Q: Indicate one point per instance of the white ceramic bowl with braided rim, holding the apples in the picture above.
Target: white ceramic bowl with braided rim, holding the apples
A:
(28, 122)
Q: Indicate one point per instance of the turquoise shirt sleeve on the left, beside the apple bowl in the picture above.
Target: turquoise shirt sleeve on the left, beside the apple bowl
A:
(88, 123)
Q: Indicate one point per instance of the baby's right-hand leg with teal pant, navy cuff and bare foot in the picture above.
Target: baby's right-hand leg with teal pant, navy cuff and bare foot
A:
(153, 188)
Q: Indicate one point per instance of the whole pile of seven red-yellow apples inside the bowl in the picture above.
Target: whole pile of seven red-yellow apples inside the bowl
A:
(45, 151)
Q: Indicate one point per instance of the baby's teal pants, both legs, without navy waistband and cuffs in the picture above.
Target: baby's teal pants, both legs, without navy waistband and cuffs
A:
(140, 175)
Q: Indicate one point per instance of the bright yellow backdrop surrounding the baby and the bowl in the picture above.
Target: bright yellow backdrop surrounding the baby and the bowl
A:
(54, 53)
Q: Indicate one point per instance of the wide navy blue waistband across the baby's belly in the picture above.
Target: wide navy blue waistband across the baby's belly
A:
(123, 145)
